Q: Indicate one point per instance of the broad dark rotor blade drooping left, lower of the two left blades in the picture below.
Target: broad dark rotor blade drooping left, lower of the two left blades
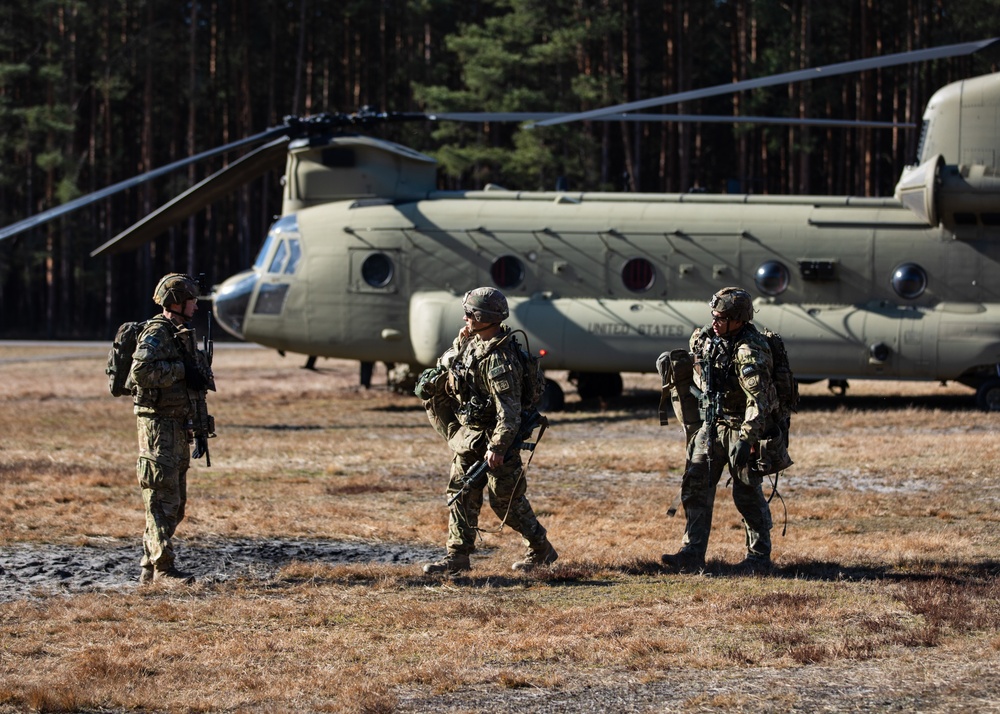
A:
(221, 183)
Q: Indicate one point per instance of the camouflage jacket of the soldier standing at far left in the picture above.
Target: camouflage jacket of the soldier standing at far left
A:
(158, 371)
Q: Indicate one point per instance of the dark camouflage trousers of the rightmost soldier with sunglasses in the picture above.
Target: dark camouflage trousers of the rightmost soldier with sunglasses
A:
(701, 478)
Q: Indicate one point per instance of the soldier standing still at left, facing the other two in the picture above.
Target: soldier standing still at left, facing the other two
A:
(169, 378)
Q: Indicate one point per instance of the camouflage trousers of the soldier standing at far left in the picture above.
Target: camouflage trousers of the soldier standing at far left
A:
(162, 468)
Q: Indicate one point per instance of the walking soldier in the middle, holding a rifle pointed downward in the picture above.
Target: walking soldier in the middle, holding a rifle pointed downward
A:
(482, 376)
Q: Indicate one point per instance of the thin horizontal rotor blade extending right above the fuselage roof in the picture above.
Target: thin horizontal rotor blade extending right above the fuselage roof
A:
(479, 117)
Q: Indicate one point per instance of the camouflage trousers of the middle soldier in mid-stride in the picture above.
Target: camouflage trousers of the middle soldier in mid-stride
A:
(506, 487)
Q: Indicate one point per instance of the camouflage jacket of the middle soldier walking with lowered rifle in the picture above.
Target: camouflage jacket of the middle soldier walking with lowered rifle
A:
(485, 379)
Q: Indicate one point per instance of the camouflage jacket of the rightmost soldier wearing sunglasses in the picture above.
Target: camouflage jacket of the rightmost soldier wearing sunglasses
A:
(741, 371)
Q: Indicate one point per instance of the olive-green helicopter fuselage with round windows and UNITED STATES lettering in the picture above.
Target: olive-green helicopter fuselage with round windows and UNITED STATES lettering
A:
(858, 288)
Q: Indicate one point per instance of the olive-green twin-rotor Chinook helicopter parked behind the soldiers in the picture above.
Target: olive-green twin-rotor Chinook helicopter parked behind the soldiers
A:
(368, 260)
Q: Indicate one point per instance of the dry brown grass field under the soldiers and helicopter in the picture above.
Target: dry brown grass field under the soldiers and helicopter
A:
(323, 500)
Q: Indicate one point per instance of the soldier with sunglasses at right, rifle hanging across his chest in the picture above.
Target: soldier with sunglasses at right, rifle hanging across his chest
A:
(733, 371)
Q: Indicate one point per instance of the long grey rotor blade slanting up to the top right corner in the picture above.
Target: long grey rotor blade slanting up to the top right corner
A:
(830, 70)
